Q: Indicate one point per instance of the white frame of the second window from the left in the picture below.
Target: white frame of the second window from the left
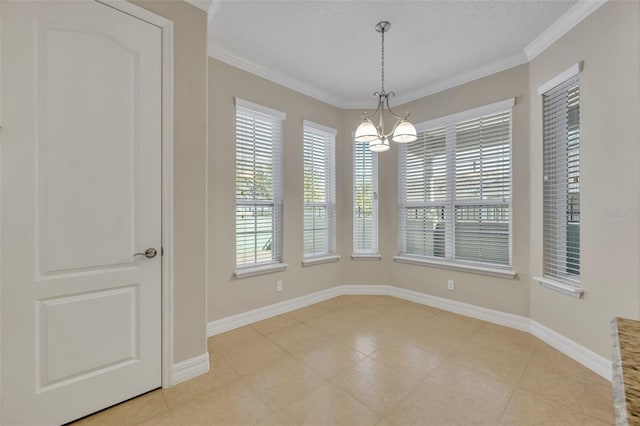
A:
(319, 133)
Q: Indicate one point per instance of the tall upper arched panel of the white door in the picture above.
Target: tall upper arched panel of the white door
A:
(103, 171)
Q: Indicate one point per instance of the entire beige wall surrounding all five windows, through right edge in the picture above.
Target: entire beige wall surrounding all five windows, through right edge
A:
(607, 41)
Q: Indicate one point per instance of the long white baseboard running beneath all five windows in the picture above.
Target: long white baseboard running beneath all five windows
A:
(584, 356)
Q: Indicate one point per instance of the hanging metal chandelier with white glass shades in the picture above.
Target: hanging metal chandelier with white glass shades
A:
(403, 131)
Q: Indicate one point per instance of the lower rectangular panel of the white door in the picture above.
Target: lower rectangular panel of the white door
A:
(70, 350)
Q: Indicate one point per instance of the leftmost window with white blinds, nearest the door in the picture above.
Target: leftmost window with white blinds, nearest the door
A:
(258, 185)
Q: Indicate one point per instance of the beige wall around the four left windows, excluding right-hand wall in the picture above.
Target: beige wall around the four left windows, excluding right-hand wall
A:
(228, 296)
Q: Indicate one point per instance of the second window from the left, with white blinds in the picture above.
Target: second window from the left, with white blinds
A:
(319, 190)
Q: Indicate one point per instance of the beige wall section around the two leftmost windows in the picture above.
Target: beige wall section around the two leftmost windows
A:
(227, 295)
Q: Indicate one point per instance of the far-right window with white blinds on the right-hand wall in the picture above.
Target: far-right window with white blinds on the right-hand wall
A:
(561, 182)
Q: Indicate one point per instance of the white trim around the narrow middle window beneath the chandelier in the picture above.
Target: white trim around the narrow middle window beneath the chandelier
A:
(373, 254)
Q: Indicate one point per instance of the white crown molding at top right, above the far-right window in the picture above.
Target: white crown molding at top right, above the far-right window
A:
(561, 26)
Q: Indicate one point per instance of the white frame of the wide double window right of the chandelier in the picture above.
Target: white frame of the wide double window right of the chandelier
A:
(448, 124)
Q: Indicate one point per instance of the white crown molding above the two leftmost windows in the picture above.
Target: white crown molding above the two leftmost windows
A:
(273, 76)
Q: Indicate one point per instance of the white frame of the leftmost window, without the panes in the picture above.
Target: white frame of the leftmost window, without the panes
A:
(276, 203)
